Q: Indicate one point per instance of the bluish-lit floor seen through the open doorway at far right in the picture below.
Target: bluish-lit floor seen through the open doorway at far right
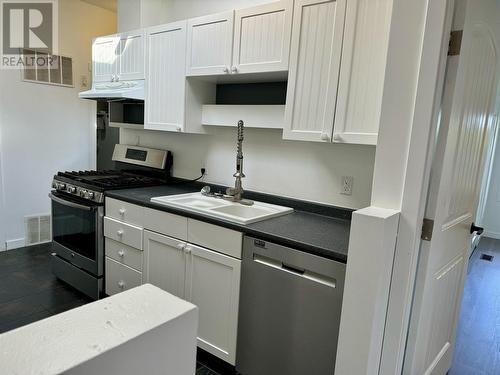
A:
(478, 337)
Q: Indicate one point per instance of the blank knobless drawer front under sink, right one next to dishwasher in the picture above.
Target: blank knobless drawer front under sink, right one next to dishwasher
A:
(213, 237)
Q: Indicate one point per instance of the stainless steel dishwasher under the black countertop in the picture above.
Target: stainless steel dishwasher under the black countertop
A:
(289, 315)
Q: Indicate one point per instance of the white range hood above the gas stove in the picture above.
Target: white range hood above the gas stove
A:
(115, 90)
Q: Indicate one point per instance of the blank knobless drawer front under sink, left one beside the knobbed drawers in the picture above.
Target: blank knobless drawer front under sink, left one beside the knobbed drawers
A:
(165, 223)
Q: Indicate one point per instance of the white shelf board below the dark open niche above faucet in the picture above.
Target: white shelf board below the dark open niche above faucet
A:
(254, 116)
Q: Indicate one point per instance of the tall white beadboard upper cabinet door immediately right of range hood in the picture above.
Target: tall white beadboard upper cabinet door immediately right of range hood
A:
(166, 80)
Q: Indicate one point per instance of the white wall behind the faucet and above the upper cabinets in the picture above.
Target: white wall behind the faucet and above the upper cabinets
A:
(302, 170)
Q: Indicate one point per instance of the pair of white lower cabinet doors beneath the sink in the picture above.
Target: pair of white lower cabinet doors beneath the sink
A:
(208, 279)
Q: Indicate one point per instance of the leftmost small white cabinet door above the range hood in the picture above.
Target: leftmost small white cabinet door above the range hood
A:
(105, 51)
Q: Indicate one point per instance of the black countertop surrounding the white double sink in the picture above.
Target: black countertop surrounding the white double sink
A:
(312, 228)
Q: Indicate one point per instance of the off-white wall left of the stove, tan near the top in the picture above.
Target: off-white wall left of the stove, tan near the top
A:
(45, 129)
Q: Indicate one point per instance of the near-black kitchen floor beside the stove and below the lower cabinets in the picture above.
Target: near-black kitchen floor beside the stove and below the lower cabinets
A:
(30, 292)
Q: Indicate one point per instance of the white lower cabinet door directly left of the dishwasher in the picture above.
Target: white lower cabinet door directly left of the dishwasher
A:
(213, 284)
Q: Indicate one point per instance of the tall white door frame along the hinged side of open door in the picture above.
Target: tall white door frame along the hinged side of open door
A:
(422, 139)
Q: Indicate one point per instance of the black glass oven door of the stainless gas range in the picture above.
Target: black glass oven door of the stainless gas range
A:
(77, 227)
